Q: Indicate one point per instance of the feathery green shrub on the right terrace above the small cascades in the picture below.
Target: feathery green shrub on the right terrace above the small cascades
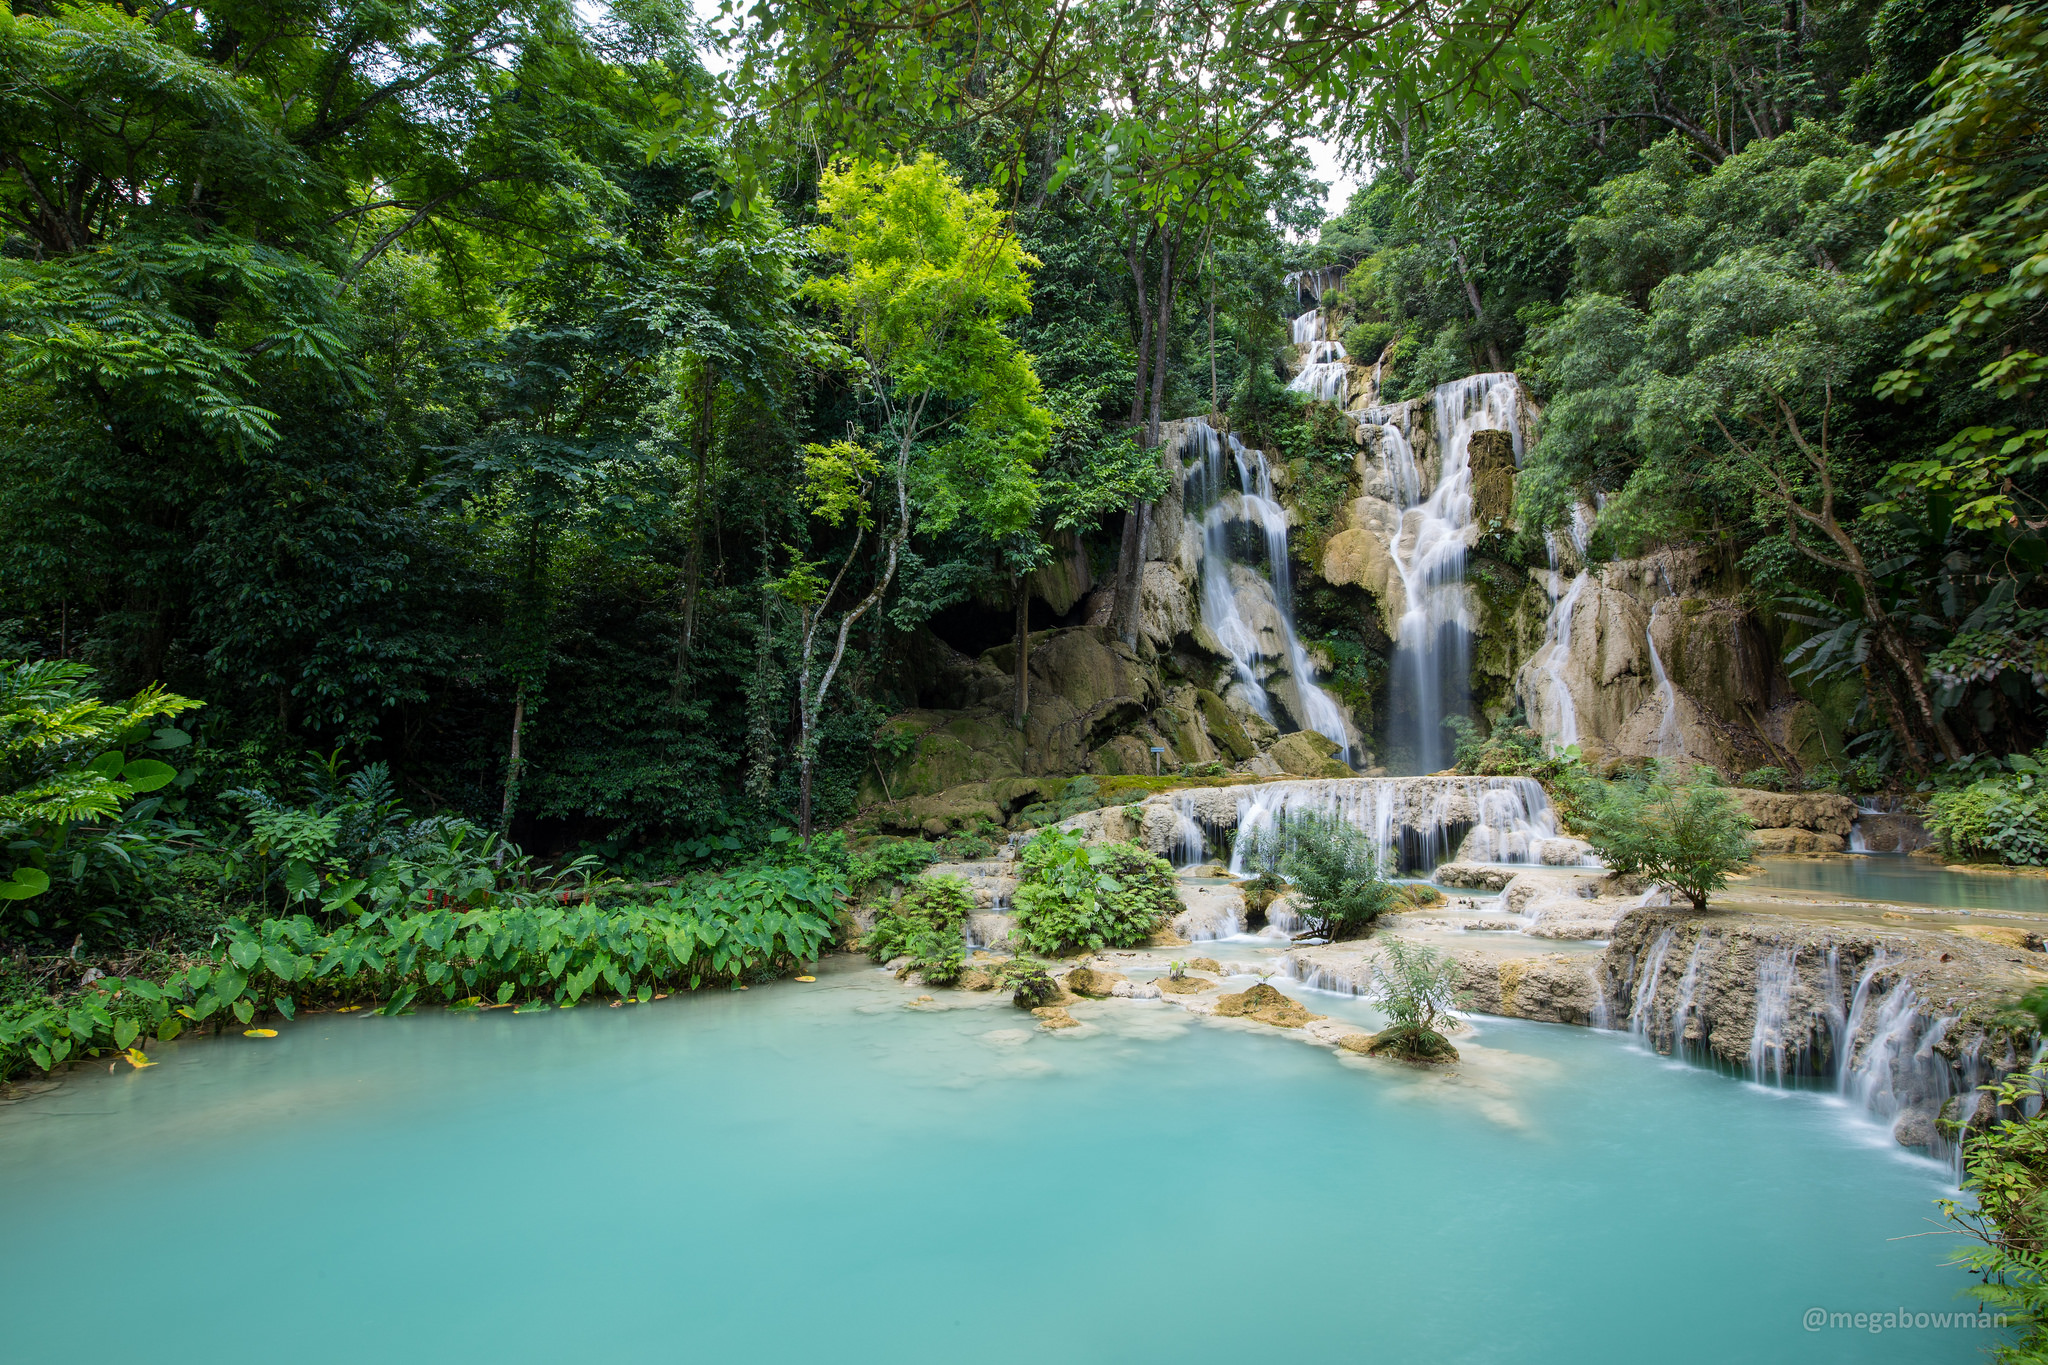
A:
(1689, 836)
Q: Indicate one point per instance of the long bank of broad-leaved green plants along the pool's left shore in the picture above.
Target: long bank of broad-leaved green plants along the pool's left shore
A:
(730, 928)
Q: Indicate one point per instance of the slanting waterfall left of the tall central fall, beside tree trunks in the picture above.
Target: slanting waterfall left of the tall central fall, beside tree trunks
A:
(1250, 605)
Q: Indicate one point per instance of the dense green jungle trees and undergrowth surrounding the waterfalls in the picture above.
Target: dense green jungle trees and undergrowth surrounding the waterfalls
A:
(515, 455)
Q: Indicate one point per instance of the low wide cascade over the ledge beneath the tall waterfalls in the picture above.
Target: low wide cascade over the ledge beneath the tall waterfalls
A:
(1414, 822)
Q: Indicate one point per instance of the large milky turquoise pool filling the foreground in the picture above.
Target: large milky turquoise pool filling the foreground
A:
(822, 1174)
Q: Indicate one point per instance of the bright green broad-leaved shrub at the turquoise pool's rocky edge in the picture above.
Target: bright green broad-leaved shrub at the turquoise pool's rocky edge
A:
(1074, 895)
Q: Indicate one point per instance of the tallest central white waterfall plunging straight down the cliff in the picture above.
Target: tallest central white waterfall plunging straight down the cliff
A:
(1435, 637)
